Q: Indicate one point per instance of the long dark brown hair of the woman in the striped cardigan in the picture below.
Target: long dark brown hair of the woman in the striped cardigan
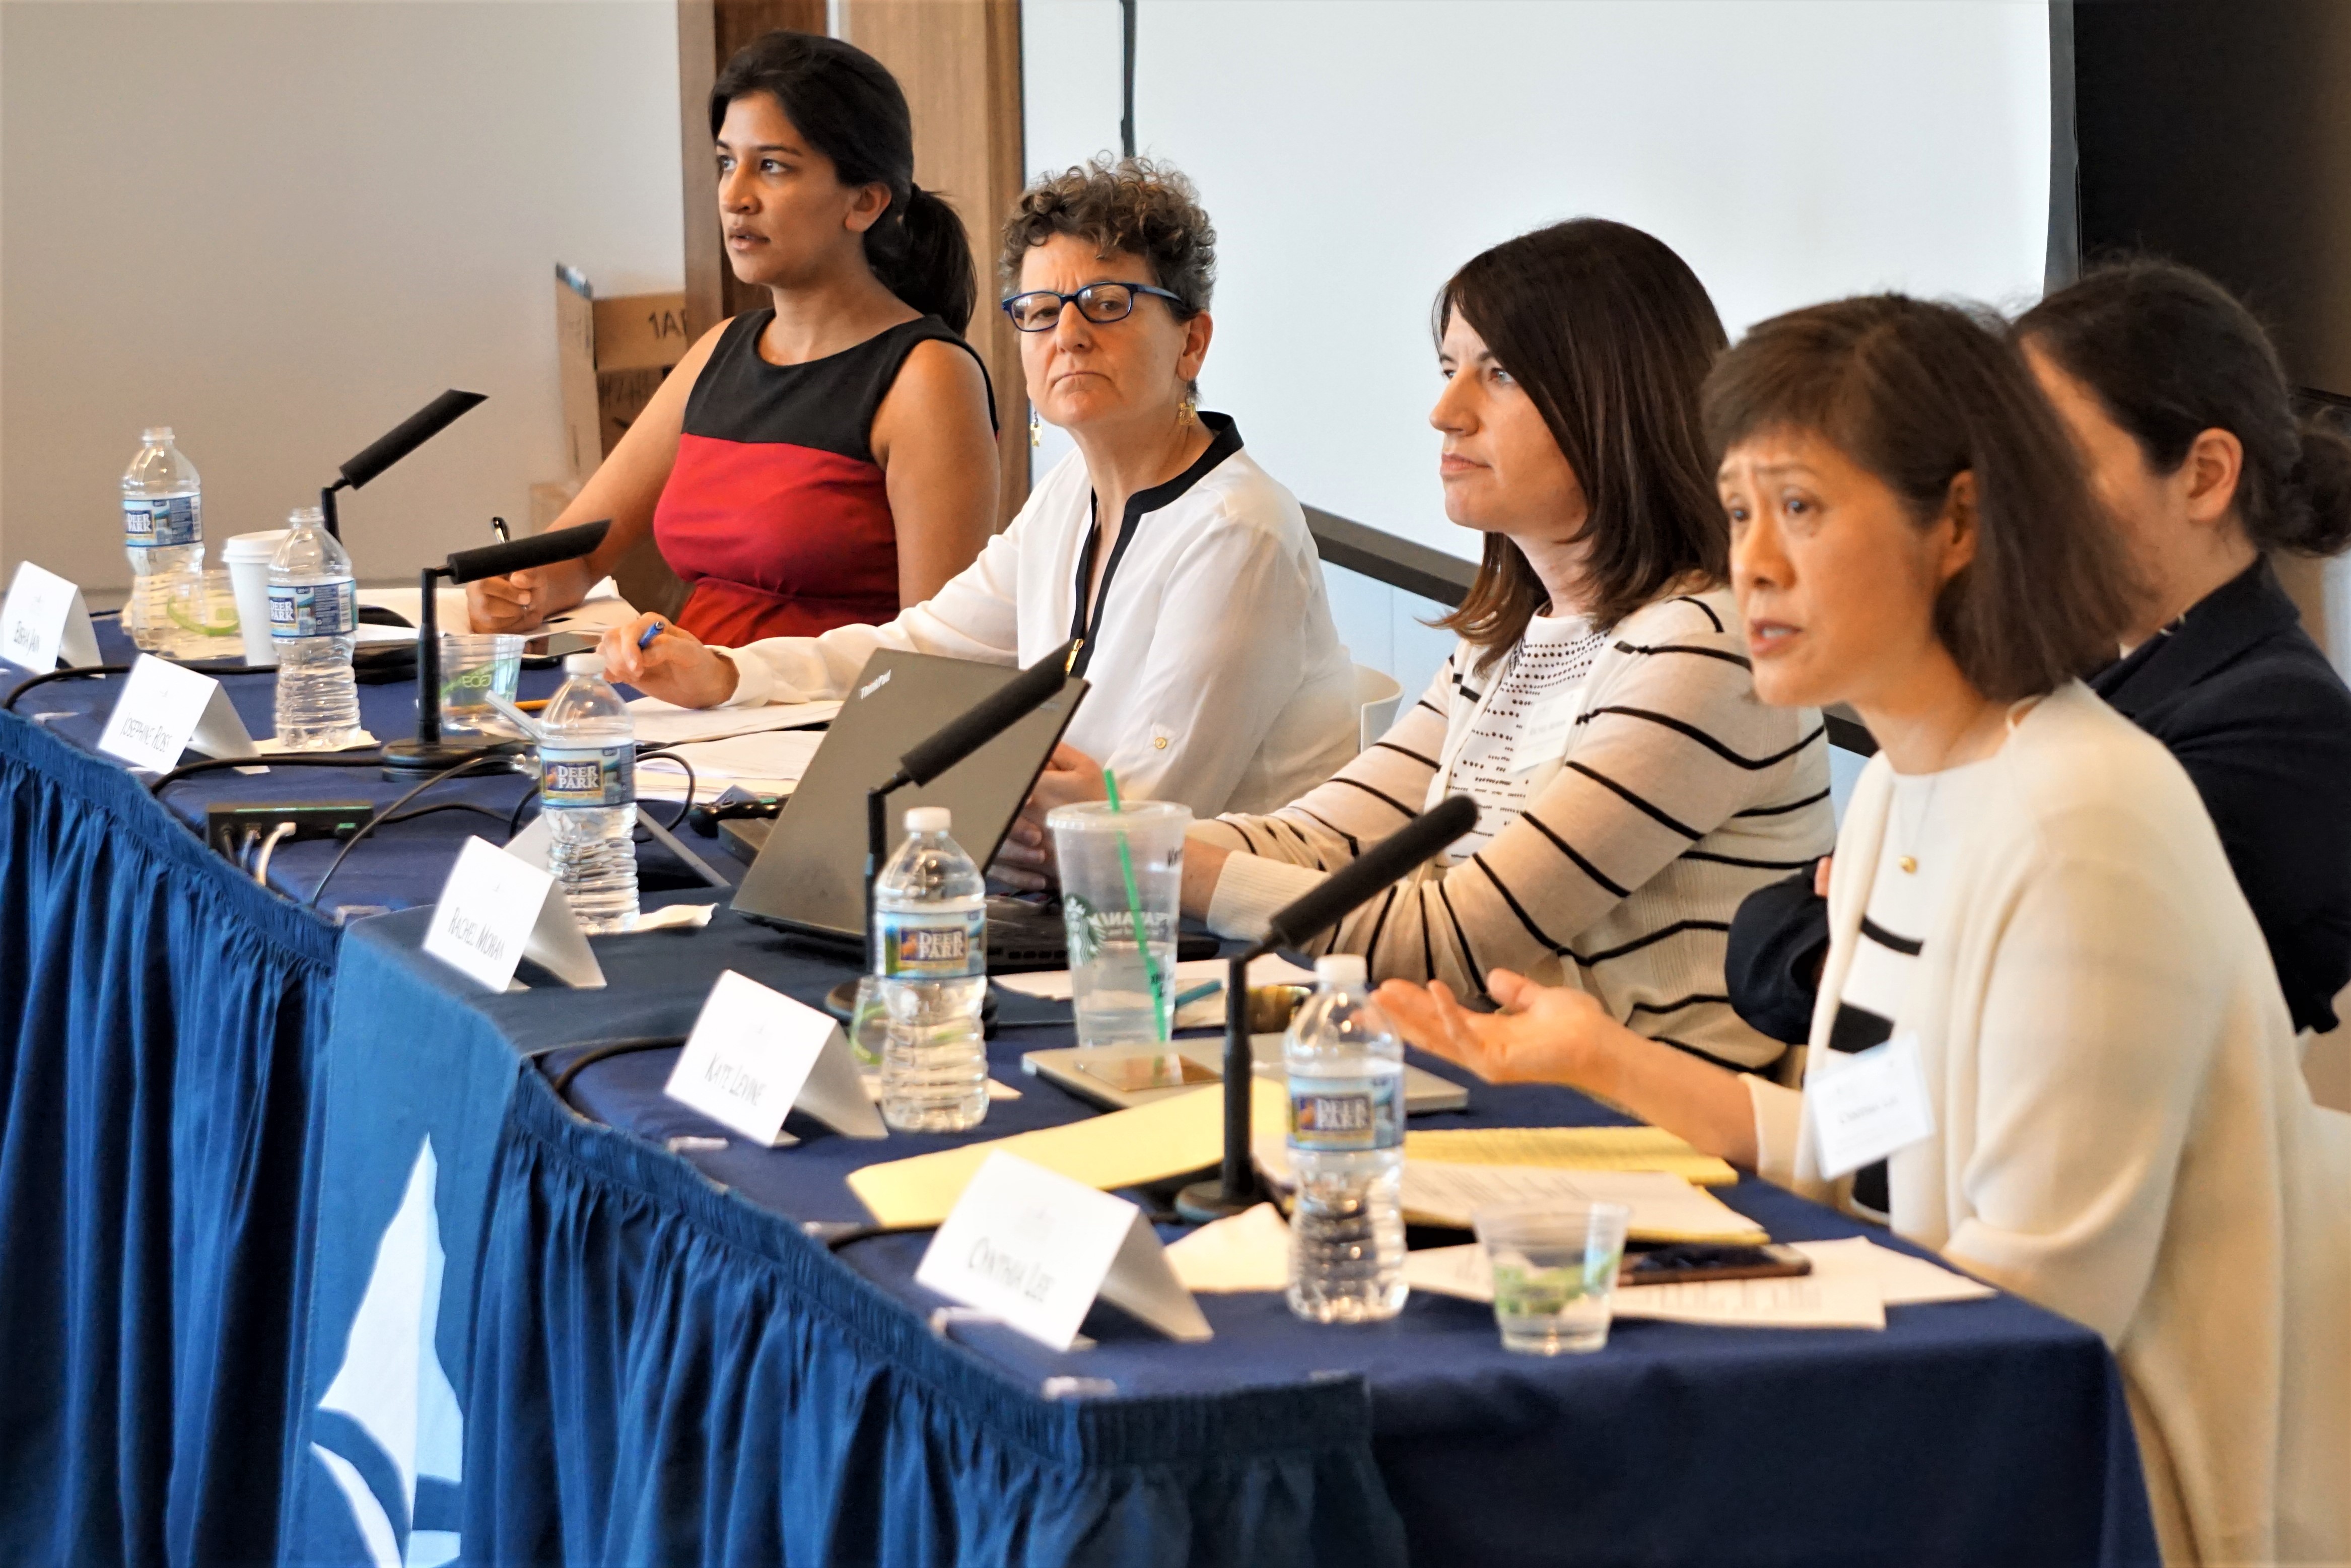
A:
(1612, 335)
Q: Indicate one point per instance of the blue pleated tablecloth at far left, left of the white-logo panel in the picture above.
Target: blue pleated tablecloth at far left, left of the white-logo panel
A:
(159, 1024)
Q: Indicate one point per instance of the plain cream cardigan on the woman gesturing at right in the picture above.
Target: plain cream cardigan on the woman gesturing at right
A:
(2122, 1125)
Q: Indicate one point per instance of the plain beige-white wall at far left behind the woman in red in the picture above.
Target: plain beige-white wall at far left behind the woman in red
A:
(281, 229)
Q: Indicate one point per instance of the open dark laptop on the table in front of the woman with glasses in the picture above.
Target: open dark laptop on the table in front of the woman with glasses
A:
(810, 869)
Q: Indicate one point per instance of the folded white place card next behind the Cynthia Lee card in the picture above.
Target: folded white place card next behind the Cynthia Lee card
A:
(756, 1054)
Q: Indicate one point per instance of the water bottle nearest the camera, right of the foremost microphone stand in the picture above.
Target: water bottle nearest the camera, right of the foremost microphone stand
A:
(1346, 1078)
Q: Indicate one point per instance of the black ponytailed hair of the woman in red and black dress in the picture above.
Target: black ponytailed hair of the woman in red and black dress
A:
(852, 112)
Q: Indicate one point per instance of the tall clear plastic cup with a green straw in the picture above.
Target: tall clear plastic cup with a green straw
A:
(1120, 913)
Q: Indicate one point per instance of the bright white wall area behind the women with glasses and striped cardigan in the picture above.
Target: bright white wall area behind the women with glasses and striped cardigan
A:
(1353, 154)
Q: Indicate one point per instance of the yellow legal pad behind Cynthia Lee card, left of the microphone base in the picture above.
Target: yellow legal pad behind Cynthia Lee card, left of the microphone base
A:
(1118, 1151)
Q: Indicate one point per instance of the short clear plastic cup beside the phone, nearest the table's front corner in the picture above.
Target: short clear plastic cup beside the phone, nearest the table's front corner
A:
(1553, 1273)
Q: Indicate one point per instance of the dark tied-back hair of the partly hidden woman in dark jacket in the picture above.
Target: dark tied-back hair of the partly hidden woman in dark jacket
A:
(2171, 356)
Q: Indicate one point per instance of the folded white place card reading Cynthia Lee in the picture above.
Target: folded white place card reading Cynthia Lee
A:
(1033, 1247)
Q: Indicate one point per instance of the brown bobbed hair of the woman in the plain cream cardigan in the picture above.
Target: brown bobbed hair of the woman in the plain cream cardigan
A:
(1922, 394)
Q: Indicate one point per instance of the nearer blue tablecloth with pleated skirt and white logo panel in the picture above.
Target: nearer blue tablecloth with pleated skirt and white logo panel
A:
(641, 1358)
